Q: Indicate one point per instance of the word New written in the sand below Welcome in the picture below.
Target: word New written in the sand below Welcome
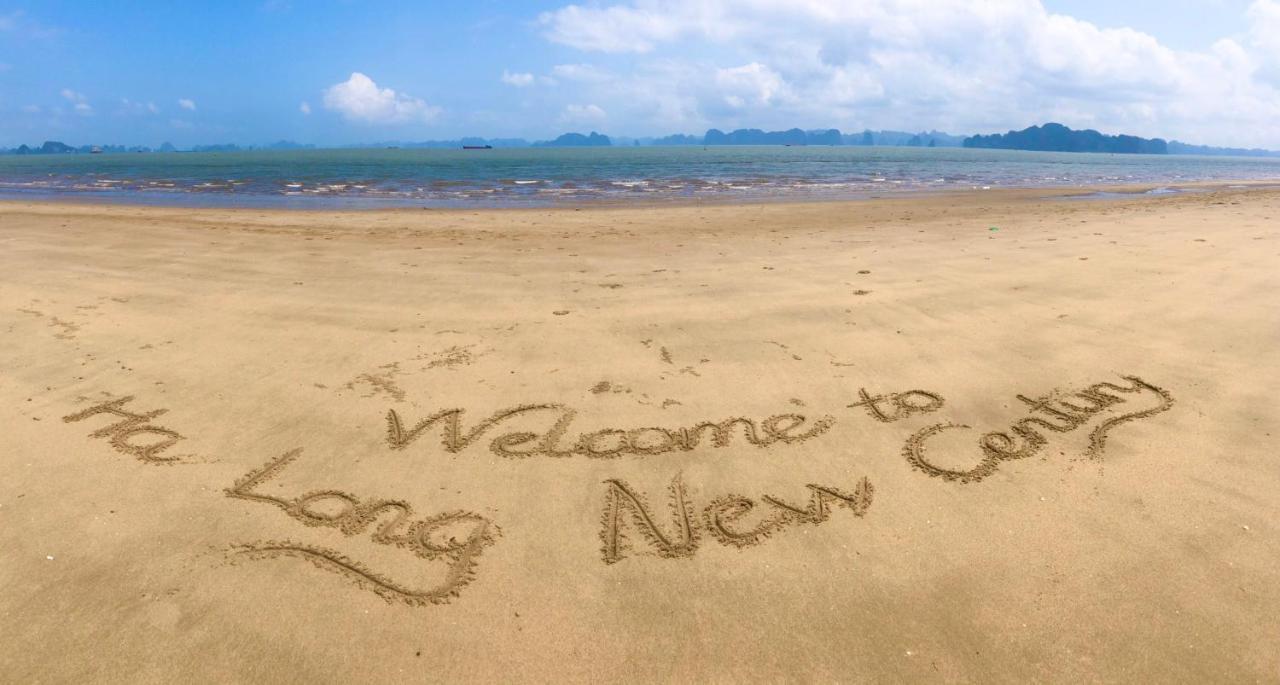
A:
(724, 518)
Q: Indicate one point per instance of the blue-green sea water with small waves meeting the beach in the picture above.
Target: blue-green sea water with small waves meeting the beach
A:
(543, 177)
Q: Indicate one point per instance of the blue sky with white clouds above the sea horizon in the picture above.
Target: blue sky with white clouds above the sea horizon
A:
(333, 72)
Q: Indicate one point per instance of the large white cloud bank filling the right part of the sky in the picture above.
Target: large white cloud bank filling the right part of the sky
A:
(954, 65)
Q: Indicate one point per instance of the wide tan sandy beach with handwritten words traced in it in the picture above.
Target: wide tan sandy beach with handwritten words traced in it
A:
(217, 469)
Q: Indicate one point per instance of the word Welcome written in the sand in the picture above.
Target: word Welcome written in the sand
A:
(611, 442)
